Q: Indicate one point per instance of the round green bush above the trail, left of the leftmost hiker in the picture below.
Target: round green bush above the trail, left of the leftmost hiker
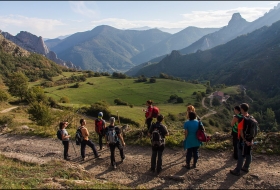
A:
(40, 113)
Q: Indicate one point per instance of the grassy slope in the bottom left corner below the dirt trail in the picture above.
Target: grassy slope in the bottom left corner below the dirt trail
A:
(15, 174)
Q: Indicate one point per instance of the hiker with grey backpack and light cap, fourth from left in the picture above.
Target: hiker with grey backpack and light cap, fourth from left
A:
(114, 139)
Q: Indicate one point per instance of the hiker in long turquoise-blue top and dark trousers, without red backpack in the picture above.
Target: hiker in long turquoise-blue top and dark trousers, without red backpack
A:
(191, 143)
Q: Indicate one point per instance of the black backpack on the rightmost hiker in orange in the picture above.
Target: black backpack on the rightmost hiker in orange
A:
(250, 127)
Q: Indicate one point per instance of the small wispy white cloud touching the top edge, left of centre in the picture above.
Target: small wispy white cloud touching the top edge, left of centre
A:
(81, 8)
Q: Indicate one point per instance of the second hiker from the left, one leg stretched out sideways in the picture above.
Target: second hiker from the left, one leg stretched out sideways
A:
(86, 140)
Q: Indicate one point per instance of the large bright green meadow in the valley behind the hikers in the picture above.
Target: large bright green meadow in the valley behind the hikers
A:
(109, 89)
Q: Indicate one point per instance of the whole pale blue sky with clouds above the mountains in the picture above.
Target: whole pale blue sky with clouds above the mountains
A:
(51, 19)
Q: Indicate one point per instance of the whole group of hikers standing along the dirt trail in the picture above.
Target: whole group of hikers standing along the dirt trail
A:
(157, 131)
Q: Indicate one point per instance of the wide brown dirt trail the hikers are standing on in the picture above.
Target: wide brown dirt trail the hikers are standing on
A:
(212, 171)
